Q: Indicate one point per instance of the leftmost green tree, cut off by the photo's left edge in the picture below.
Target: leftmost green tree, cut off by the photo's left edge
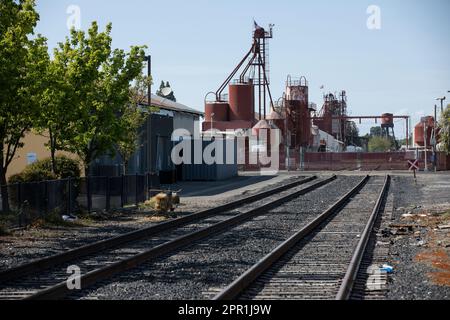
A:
(23, 57)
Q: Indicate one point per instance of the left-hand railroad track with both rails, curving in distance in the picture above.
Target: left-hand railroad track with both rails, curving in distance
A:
(47, 278)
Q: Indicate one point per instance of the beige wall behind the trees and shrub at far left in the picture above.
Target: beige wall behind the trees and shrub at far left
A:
(34, 143)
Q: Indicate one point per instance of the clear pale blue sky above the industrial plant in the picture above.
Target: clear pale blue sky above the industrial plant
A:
(195, 44)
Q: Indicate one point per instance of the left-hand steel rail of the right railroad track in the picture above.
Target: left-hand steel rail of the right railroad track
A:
(245, 280)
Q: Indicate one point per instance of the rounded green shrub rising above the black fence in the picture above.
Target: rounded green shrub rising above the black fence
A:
(42, 171)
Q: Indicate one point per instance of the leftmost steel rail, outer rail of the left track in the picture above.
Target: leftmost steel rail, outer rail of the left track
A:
(48, 262)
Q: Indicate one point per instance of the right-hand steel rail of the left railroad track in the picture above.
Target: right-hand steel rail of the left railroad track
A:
(61, 290)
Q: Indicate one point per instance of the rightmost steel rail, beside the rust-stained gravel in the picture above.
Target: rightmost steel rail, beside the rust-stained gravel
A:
(346, 287)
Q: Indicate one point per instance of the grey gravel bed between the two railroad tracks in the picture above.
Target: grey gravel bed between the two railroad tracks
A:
(199, 271)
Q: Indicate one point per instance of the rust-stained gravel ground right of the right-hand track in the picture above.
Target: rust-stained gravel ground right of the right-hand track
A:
(419, 249)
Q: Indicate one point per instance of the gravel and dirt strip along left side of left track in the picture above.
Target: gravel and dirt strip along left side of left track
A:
(38, 242)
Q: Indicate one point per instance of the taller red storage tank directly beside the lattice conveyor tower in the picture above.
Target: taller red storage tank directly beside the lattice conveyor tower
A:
(242, 102)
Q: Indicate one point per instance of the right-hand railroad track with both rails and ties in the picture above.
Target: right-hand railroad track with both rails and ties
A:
(321, 261)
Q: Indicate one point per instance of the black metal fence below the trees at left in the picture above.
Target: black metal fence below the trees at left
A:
(69, 196)
